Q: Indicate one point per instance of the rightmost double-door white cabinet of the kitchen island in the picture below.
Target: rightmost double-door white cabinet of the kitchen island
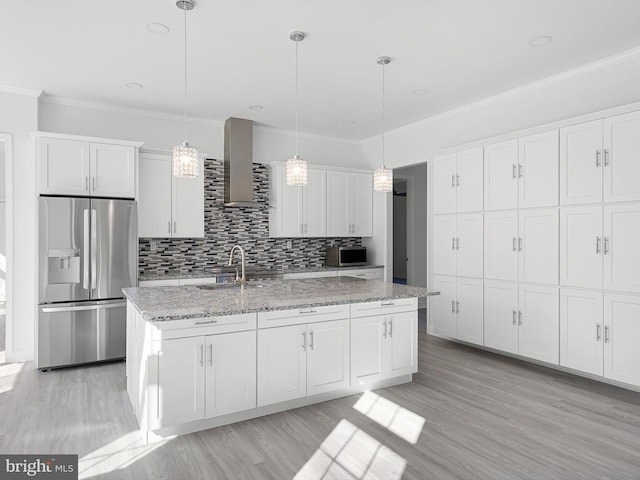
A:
(383, 345)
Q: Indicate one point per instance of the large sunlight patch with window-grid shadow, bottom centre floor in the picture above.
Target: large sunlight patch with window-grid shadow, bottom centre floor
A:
(348, 453)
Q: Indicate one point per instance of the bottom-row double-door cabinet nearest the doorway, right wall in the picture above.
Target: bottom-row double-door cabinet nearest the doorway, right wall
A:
(458, 312)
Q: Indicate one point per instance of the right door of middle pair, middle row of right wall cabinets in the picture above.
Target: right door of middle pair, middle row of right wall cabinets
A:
(538, 246)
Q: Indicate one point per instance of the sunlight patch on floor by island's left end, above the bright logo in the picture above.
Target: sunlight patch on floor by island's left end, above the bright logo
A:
(118, 454)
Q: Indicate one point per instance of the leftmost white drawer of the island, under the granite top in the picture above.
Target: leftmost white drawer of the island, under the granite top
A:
(190, 327)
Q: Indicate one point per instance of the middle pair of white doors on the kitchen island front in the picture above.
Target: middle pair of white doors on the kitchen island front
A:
(300, 360)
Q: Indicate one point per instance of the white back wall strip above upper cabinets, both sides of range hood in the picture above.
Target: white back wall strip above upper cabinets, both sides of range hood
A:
(164, 131)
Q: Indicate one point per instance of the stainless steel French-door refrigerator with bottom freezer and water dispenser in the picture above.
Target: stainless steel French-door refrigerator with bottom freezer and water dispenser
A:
(87, 255)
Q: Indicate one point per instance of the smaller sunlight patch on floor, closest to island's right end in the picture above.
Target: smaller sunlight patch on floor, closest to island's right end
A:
(404, 423)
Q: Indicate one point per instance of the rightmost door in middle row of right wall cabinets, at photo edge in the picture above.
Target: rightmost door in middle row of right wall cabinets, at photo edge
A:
(622, 248)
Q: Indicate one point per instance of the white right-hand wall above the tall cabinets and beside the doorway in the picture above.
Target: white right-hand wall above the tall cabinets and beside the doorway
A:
(609, 83)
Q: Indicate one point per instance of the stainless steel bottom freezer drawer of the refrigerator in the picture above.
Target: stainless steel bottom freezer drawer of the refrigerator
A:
(76, 333)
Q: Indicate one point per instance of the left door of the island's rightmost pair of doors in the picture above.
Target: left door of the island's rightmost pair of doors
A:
(368, 350)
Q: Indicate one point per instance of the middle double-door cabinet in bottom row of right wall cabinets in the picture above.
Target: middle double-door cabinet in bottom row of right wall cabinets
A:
(522, 319)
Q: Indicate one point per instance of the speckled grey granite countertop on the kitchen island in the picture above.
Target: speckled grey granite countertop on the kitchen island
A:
(173, 303)
